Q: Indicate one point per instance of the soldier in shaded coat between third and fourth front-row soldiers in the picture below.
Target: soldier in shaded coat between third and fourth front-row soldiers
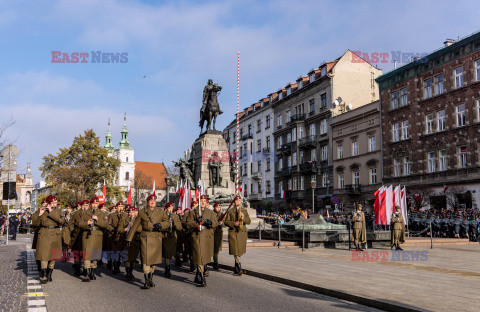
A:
(169, 242)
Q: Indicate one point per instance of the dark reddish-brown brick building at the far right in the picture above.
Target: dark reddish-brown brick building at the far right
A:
(431, 123)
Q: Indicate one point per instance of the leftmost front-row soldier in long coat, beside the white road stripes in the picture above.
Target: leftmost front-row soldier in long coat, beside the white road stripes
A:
(49, 241)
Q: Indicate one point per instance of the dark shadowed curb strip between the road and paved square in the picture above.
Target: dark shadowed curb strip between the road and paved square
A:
(372, 303)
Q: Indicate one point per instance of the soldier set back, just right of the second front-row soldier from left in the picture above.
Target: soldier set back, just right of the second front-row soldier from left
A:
(118, 220)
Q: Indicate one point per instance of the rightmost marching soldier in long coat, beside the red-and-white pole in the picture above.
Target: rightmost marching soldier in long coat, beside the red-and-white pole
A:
(236, 220)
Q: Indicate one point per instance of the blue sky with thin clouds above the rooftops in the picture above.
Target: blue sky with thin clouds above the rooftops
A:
(173, 48)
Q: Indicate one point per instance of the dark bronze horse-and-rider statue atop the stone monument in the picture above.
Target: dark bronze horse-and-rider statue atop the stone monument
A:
(210, 108)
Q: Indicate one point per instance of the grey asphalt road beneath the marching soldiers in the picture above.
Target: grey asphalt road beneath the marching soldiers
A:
(224, 292)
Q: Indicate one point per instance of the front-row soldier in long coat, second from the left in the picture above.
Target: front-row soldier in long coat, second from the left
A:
(93, 223)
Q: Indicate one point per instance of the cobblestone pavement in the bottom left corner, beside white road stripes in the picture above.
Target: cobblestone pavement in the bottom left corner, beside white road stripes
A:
(13, 278)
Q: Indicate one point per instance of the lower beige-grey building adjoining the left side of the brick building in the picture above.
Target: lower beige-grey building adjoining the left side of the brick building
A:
(357, 156)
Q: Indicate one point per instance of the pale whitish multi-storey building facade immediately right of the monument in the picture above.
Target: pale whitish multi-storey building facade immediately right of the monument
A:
(256, 155)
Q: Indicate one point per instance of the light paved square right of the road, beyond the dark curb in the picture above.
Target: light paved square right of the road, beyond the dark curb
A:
(447, 280)
